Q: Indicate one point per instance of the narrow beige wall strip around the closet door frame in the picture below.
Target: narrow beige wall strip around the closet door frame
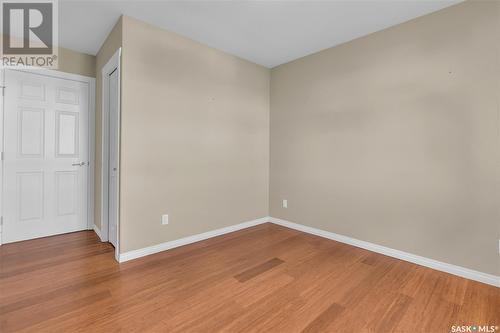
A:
(112, 43)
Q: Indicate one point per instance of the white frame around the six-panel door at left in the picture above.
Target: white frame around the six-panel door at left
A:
(90, 81)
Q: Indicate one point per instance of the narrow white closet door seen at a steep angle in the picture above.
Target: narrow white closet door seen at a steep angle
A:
(113, 157)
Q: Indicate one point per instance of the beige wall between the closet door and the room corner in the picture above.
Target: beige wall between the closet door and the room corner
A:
(194, 137)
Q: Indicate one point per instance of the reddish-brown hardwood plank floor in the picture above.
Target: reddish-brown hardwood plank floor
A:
(262, 279)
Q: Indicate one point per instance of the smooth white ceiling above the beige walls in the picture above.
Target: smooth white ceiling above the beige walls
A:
(269, 33)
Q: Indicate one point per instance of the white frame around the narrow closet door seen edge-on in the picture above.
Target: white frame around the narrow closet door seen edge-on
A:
(112, 65)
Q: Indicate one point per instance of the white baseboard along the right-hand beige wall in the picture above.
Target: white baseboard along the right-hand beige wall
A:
(423, 261)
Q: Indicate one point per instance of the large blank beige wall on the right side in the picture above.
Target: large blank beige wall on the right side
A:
(393, 138)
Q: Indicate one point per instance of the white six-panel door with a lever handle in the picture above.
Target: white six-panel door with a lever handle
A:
(45, 156)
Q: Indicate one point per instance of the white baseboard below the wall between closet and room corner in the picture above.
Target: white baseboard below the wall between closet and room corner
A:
(188, 240)
